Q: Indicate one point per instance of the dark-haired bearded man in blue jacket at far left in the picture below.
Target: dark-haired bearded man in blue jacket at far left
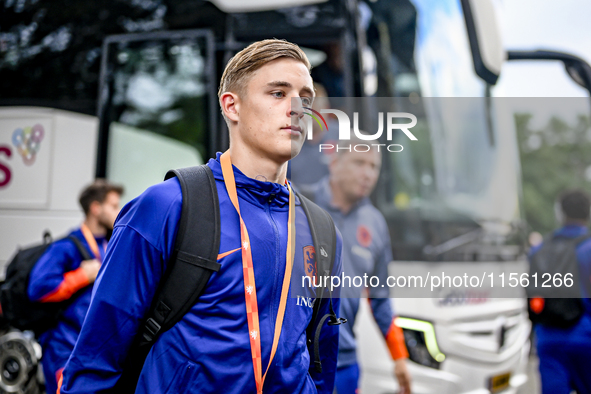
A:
(61, 274)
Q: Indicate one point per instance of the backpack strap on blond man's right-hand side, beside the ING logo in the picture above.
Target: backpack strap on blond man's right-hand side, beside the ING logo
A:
(324, 237)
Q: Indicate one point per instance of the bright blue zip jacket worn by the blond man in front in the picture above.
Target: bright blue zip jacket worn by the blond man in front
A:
(208, 351)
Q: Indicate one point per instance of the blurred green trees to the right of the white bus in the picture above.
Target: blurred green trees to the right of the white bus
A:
(553, 159)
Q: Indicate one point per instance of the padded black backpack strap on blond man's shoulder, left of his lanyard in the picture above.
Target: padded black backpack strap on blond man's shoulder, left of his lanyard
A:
(195, 255)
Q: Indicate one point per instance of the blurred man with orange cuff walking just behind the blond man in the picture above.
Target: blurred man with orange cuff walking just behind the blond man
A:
(366, 250)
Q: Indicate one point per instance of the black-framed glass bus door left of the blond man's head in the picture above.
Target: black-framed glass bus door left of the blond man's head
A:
(157, 106)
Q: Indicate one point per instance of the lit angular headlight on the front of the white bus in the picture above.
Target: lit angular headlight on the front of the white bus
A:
(419, 336)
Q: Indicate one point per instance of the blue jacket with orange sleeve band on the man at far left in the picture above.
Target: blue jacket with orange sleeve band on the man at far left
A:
(47, 283)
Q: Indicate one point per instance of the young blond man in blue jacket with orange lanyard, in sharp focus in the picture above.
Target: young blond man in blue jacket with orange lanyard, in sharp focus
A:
(213, 348)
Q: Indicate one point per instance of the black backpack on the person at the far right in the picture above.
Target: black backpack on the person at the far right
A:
(555, 306)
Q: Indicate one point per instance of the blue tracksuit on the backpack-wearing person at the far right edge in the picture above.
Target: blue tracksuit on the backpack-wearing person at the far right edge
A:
(564, 353)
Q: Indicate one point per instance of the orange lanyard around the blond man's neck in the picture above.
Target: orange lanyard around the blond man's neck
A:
(250, 294)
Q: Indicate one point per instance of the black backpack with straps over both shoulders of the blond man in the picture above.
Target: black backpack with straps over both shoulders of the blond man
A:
(195, 259)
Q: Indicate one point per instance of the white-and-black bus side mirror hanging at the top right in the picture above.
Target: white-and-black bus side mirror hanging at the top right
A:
(485, 38)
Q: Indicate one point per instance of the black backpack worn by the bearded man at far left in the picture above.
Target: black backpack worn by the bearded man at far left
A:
(17, 310)
